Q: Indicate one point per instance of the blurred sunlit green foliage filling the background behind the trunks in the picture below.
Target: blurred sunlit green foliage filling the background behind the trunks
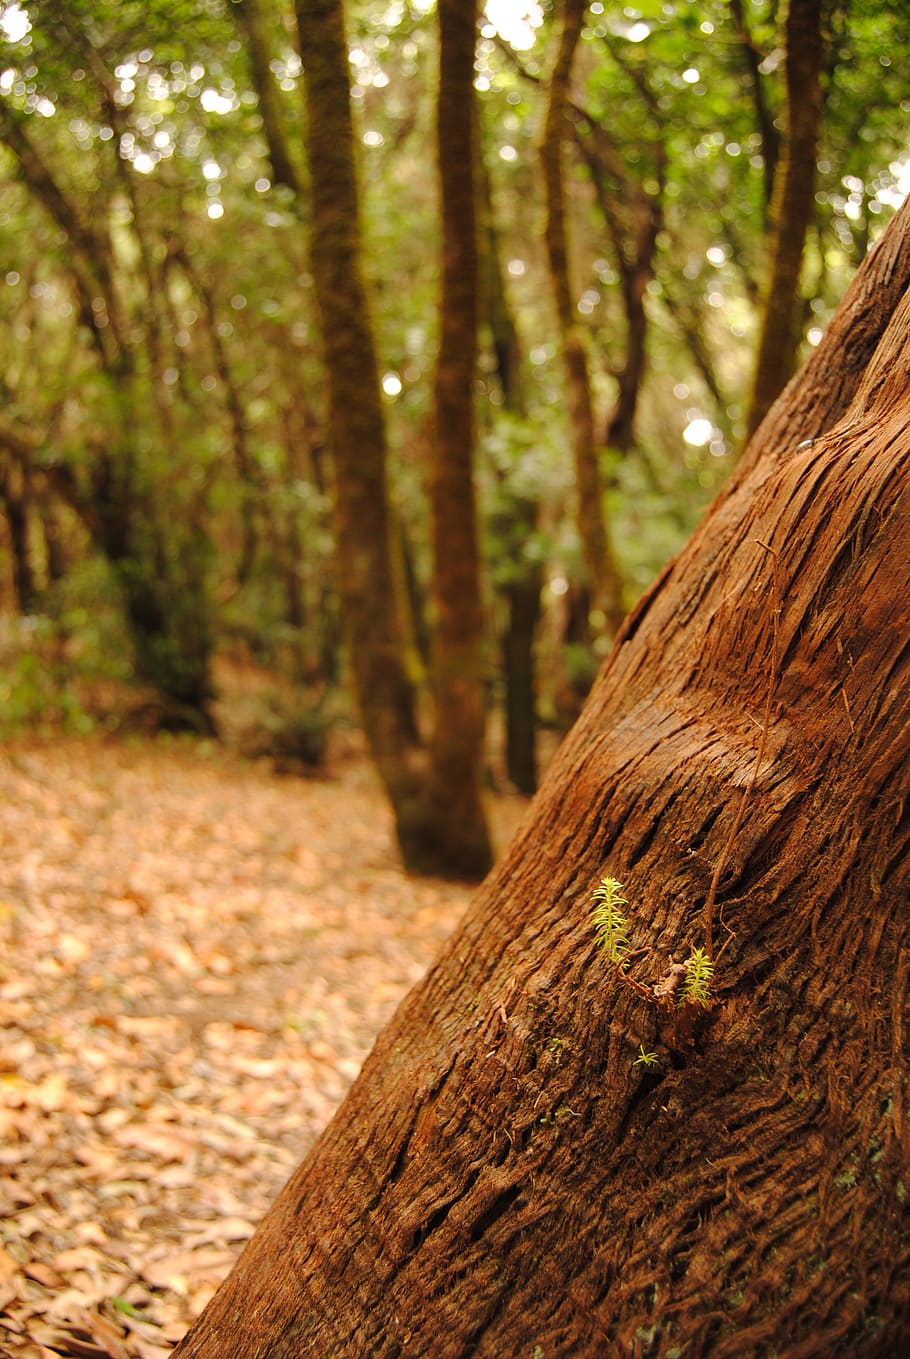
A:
(192, 415)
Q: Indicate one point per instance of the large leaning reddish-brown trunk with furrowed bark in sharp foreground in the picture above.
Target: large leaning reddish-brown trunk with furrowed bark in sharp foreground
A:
(541, 1154)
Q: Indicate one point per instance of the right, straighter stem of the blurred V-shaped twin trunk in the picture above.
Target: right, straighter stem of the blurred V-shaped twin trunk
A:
(456, 588)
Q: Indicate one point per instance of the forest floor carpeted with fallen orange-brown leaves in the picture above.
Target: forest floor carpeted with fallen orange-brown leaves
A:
(195, 960)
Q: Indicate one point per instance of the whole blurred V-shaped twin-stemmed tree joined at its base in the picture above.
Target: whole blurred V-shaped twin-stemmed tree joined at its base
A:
(437, 794)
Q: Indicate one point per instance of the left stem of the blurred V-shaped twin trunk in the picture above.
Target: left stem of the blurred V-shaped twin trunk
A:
(362, 527)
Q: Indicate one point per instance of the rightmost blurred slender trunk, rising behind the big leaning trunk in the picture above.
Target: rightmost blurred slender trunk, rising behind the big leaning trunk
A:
(793, 206)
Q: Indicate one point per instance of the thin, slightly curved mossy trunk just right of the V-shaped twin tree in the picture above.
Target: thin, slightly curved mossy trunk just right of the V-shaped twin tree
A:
(593, 529)
